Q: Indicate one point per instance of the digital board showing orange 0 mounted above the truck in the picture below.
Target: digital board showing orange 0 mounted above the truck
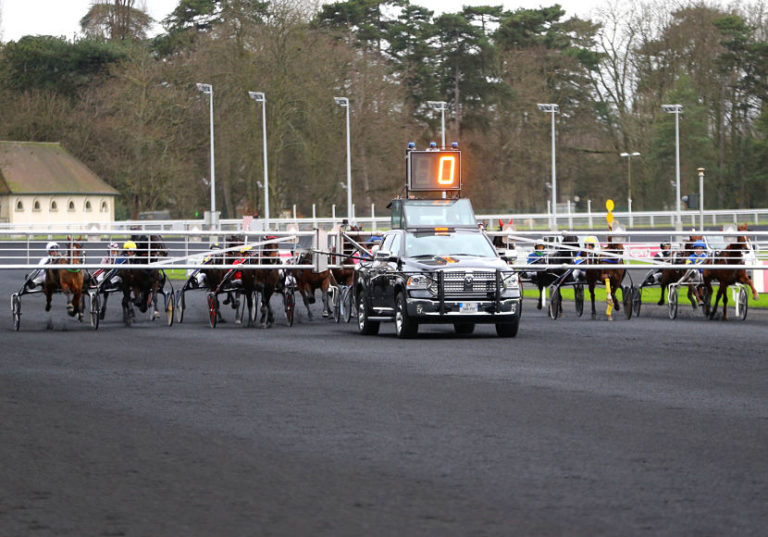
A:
(434, 170)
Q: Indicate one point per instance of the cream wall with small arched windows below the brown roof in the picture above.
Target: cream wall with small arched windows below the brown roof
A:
(52, 210)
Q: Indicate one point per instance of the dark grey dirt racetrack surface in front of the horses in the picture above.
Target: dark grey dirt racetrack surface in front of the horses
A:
(576, 427)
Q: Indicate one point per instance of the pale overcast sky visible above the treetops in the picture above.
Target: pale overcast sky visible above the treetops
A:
(62, 17)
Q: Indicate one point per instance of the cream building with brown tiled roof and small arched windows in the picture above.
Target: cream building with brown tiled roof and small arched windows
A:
(41, 183)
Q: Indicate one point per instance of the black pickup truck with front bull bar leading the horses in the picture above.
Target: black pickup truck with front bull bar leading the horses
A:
(438, 274)
